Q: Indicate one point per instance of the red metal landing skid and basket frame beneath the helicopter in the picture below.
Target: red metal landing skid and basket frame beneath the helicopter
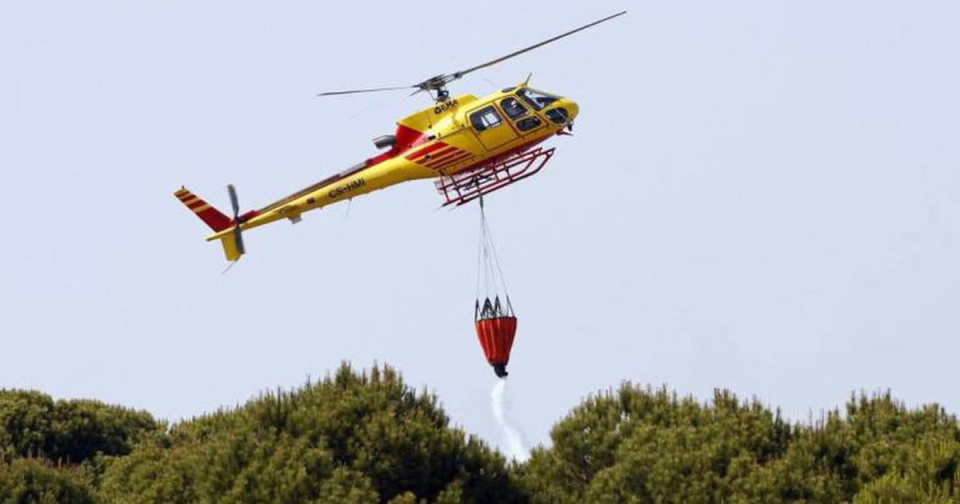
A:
(464, 187)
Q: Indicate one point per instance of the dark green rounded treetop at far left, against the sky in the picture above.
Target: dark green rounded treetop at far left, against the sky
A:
(33, 425)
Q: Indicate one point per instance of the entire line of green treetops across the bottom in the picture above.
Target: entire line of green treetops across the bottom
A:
(367, 437)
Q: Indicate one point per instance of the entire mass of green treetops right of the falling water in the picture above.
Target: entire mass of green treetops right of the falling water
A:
(640, 445)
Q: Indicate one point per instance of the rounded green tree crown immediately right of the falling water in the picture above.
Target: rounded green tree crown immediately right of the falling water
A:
(641, 445)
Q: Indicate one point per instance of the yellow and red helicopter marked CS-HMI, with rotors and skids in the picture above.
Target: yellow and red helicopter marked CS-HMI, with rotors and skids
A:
(472, 146)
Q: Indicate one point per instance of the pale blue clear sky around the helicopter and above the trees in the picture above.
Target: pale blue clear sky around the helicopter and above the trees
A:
(761, 196)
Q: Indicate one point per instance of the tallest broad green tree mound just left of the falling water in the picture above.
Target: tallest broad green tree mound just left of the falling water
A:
(351, 438)
